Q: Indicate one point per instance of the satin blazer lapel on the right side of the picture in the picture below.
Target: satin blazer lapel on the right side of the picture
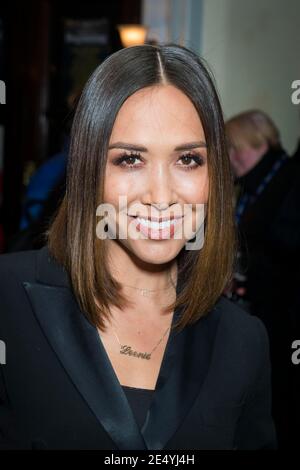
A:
(183, 370)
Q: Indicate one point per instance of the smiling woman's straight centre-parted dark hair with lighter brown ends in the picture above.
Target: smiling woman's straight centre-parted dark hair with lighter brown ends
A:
(71, 236)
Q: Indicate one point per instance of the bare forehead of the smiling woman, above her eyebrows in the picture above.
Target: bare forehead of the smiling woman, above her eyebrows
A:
(158, 112)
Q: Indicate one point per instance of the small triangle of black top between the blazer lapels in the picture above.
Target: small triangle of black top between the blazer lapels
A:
(139, 399)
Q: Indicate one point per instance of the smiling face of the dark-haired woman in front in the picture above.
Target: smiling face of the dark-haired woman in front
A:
(150, 162)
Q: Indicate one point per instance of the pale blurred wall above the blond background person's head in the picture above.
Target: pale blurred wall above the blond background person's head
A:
(254, 51)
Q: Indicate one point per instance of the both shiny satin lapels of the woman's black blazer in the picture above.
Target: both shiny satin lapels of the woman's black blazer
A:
(81, 352)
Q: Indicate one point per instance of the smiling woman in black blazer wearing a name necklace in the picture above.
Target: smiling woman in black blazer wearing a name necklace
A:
(125, 342)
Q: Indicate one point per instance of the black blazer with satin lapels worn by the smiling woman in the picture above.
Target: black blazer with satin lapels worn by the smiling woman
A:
(59, 390)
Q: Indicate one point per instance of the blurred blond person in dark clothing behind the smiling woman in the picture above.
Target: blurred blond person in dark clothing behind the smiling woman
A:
(268, 219)
